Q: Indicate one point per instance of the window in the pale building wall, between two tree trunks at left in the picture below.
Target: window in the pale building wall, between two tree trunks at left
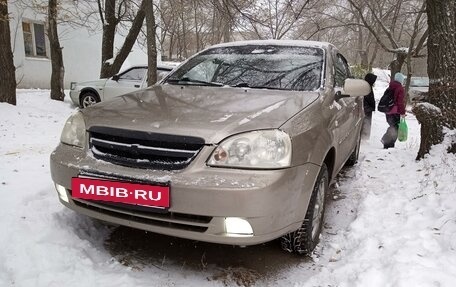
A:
(34, 39)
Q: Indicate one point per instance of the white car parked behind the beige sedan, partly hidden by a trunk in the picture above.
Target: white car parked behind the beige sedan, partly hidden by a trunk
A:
(85, 94)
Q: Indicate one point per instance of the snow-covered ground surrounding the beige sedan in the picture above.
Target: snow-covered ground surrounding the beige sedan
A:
(391, 222)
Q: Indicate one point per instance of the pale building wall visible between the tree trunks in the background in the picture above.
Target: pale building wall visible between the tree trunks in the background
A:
(81, 52)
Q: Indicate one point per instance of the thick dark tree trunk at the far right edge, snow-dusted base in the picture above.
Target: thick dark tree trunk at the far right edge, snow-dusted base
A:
(440, 112)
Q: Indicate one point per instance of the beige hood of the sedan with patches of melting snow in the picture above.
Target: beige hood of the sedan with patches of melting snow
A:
(212, 113)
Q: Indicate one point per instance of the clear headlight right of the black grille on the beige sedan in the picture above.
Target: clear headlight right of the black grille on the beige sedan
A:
(259, 149)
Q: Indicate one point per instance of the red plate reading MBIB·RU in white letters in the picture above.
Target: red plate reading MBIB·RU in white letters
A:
(124, 192)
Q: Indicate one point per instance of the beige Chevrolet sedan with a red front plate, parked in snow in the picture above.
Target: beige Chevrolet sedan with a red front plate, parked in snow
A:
(236, 146)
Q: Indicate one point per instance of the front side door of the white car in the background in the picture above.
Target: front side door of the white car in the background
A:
(126, 82)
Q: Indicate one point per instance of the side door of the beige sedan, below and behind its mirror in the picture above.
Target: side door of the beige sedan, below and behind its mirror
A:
(347, 118)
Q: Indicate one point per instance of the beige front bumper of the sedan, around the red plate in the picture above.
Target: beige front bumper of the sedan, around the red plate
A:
(273, 202)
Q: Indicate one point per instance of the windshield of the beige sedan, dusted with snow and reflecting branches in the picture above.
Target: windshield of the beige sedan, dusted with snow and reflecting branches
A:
(254, 66)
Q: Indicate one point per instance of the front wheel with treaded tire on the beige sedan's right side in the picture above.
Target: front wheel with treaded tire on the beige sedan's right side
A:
(304, 240)
